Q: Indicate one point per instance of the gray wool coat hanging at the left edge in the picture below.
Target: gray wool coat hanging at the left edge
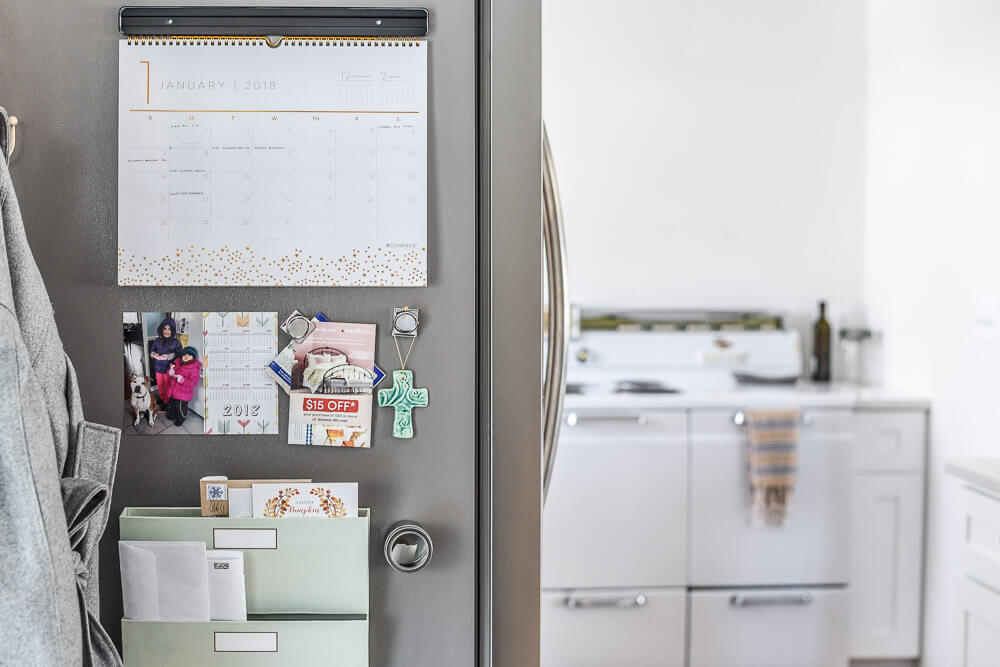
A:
(56, 474)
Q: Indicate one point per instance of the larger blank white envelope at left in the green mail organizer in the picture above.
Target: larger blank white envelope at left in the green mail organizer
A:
(164, 581)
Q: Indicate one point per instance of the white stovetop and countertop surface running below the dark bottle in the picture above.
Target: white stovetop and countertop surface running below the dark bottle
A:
(802, 394)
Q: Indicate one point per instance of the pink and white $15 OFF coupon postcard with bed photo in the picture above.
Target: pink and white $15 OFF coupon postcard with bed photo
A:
(331, 389)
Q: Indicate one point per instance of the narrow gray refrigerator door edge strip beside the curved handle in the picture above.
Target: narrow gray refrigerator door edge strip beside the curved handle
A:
(511, 314)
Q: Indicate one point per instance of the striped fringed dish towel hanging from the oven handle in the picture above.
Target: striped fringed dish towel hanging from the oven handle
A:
(772, 463)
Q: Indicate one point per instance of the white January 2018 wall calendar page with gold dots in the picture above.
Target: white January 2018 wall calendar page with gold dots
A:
(304, 164)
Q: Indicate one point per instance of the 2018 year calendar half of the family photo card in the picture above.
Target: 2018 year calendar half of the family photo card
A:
(240, 396)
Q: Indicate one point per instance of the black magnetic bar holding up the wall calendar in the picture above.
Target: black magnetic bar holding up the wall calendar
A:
(274, 21)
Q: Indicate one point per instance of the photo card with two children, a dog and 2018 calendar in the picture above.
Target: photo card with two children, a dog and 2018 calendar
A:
(199, 373)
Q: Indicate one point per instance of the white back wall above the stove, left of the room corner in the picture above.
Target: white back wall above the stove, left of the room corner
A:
(710, 153)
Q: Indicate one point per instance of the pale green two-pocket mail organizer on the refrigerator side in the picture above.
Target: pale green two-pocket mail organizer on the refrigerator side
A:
(307, 591)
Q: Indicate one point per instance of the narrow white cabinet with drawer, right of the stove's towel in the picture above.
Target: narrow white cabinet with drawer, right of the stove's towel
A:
(887, 530)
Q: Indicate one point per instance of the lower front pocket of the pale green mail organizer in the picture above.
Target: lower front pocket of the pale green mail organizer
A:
(271, 642)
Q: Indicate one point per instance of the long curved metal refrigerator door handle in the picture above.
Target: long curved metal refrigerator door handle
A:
(554, 384)
